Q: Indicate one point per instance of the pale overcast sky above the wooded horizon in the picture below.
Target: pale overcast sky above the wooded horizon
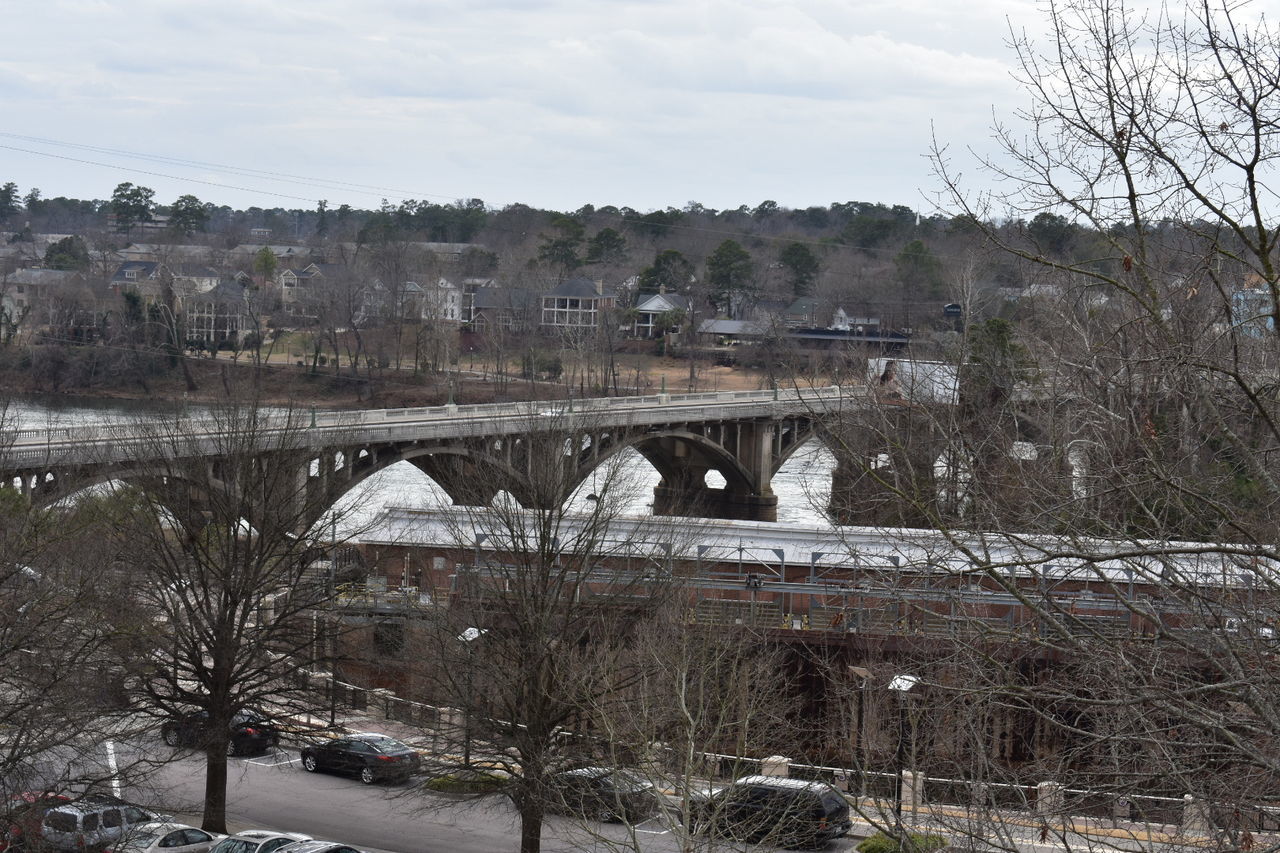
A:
(550, 103)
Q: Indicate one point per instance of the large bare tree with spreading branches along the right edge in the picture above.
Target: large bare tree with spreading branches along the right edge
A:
(1114, 444)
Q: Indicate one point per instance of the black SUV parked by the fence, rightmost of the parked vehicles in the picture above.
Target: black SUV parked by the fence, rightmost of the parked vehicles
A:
(789, 813)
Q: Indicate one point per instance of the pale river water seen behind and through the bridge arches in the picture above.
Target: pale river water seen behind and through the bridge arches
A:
(803, 485)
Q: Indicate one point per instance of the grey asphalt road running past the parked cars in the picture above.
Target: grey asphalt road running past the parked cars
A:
(275, 792)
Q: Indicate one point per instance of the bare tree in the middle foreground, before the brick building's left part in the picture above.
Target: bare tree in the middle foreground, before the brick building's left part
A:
(538, 632)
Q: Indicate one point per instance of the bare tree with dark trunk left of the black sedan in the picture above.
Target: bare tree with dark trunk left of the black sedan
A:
(223, 542)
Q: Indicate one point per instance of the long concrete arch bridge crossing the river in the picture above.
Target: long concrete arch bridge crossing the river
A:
(538, 453)
